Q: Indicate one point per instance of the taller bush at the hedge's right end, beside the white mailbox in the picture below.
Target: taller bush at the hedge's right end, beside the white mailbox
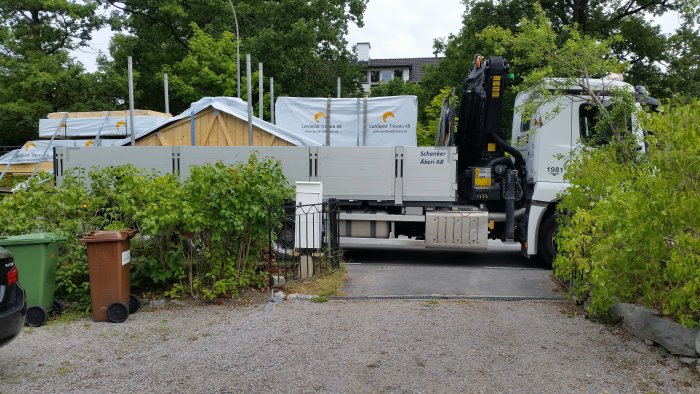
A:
(227, 209)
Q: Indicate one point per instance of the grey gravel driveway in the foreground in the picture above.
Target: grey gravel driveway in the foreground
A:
(343, 346)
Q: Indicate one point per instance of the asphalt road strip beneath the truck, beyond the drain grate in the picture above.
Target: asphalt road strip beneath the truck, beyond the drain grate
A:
(404, 271)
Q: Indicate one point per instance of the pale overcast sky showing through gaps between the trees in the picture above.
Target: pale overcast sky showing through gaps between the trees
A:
(394, 28)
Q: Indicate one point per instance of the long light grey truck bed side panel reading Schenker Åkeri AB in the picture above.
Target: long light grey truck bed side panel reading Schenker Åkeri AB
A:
(393, 175)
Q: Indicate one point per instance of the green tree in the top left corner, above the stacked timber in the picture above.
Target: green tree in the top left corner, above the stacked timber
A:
(37, 75)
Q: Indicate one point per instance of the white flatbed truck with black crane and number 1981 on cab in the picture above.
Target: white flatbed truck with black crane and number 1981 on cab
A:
(456, 196)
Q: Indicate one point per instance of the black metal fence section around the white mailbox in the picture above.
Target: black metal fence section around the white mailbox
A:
(305, 242)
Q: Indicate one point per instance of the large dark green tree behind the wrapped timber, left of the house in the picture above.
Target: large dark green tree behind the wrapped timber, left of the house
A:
(301, 43)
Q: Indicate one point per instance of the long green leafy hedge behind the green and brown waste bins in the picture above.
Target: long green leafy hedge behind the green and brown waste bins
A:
(202, 238)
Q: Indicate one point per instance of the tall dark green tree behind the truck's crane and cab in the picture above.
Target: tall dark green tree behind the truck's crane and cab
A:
(643, 46)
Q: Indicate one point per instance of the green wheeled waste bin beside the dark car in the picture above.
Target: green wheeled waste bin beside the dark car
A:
(35, 257)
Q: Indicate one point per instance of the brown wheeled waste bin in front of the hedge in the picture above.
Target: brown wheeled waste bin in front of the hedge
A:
(109, 256)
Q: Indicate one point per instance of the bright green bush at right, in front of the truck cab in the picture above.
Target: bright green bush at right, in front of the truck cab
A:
(631, 228)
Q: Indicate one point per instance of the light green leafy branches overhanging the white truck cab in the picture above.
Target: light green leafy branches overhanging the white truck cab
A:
(557, 63)
